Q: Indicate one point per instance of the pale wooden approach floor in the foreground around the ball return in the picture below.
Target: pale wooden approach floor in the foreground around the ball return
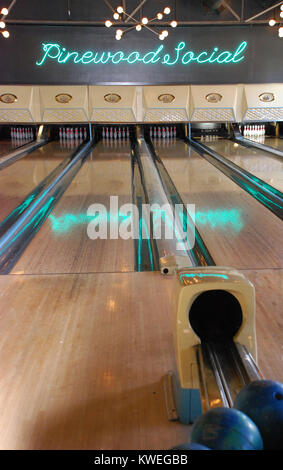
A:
(83, 358)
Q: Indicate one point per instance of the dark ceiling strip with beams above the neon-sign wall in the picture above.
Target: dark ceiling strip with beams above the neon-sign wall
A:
(100, 10)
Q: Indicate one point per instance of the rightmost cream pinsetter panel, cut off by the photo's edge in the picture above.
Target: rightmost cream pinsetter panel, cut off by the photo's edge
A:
(263, 102)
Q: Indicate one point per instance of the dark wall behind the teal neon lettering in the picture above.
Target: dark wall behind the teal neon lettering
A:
(262, 59)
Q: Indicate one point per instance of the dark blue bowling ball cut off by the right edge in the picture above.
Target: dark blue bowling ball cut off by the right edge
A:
(262, 401)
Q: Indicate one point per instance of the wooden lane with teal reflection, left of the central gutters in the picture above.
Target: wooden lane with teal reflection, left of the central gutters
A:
(62, 244)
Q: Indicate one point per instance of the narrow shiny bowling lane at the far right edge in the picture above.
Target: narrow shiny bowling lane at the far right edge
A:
(260, 164)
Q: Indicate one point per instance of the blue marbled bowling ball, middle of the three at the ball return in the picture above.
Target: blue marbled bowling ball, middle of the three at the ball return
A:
(226, 429)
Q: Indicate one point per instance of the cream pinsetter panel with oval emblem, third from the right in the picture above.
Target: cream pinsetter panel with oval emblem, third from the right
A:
(166, 103)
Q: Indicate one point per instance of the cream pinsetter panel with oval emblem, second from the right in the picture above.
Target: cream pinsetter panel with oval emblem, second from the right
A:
(214, 103)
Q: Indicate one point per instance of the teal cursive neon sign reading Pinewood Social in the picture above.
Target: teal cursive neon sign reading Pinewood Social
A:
(181, 55)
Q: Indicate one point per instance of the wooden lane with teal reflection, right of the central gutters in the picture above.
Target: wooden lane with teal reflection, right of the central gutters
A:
(237, 229)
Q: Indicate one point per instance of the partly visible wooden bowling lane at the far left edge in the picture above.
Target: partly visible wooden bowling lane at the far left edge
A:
(20, 178)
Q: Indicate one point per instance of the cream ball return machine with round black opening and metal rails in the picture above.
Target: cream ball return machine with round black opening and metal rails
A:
(214, 341)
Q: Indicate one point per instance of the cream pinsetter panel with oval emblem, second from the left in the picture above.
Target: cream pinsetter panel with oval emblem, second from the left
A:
(63, 103)
